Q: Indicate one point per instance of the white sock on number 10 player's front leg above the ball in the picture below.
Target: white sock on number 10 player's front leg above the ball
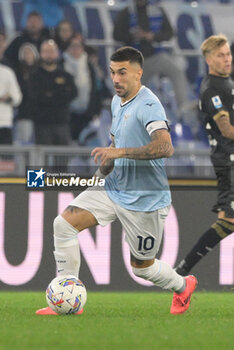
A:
(67, 251)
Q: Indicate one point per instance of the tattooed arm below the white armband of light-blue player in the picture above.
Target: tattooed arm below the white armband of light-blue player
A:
(159, 147)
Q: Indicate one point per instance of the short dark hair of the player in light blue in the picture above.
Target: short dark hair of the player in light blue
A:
(128, 53)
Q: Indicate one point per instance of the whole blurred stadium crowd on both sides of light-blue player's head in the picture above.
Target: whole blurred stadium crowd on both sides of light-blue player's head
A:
(63, 93)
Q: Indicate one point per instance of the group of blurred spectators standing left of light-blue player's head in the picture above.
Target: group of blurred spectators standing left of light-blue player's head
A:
(61, 87)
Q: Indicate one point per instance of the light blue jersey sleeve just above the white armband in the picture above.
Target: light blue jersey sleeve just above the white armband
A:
(152, 111)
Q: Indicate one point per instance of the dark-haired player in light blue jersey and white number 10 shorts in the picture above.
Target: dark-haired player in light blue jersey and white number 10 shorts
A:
(136, 187)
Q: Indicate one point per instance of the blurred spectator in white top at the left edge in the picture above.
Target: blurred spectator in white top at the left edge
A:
(10, 97)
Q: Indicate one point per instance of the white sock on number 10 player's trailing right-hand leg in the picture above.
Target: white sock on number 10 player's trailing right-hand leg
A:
(162, 275)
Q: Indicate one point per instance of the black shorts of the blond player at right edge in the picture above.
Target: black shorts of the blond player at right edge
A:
(225, 200)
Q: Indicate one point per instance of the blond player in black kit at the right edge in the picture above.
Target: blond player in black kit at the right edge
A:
(217, 103)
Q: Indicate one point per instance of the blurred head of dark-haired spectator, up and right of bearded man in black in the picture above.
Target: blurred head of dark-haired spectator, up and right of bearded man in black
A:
(63, 35)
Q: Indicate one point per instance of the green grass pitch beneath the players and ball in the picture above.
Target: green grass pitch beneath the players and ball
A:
(119, 321)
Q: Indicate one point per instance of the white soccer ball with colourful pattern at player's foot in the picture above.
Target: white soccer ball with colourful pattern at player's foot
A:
(66, 294)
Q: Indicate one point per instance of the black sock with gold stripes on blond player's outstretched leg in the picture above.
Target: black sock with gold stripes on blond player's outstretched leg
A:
(206, 243)
